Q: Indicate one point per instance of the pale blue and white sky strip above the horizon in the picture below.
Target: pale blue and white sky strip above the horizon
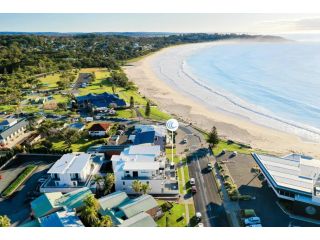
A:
(145, 22)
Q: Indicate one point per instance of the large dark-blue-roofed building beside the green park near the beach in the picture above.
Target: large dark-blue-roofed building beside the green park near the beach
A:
(100, 100)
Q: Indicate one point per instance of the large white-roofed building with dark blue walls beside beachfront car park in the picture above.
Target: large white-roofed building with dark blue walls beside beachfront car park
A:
(295, 178)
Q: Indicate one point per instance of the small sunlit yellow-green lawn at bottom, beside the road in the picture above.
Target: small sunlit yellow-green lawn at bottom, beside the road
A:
(173, 217)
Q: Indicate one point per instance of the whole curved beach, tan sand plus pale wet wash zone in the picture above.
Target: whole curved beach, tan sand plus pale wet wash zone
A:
(160, 80)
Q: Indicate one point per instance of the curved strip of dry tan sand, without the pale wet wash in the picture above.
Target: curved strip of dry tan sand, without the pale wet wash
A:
(185, 106)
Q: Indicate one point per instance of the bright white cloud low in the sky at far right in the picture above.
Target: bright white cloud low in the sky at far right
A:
(291, 25)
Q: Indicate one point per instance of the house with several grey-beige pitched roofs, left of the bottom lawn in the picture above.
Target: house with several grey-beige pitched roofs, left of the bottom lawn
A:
(127, 212)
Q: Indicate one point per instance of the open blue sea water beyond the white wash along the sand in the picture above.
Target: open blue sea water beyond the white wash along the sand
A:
(281, 80)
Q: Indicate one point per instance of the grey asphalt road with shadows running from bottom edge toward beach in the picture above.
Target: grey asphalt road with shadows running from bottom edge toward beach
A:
(207, 199)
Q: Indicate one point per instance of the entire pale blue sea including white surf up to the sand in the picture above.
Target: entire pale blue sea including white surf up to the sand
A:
(272, 84)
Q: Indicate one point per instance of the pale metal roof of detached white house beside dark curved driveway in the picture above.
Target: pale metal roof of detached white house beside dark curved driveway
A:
(70, 163)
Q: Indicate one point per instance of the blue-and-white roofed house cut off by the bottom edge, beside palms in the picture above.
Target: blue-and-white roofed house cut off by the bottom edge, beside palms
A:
(64, 218)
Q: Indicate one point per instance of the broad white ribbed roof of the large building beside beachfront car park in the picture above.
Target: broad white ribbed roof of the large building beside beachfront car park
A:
(296, 172)
